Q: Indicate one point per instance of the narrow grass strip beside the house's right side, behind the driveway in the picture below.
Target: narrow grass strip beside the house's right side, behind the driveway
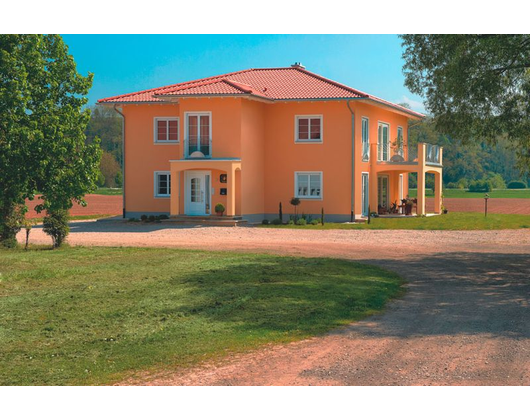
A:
(451, 221)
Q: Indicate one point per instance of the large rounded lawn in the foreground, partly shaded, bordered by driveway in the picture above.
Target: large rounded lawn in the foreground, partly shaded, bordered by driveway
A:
(84, 316)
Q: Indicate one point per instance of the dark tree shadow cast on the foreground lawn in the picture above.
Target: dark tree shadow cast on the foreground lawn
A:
(285, 296)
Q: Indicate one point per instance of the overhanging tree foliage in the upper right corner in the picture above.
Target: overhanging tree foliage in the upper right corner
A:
(476, 85)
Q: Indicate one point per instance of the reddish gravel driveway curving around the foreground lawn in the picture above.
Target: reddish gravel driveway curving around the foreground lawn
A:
(464, 319)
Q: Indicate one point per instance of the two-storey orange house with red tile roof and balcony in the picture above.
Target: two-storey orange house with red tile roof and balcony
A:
(255, 138)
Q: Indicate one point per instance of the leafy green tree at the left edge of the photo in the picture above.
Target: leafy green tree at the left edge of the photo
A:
(42, 123)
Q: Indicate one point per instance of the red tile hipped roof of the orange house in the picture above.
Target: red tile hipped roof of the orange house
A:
(274, 84)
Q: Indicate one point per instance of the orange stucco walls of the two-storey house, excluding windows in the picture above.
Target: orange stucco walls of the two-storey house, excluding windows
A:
(262, 135)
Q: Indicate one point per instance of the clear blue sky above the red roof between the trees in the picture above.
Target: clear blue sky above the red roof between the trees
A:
(128, 63)
